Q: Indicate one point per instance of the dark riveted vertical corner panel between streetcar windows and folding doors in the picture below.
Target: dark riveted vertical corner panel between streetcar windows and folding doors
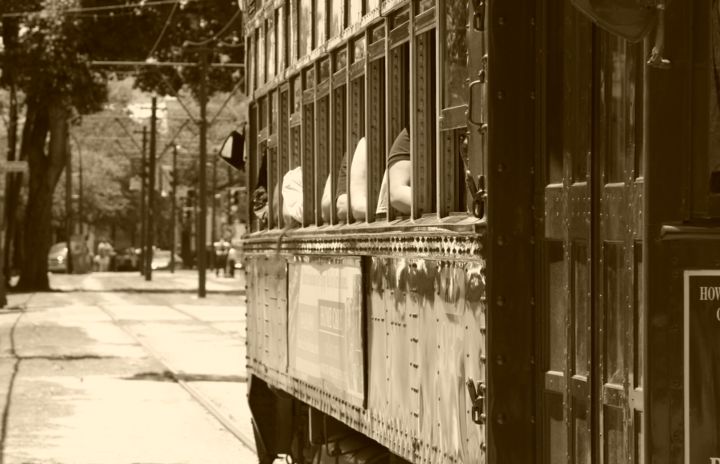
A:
(511, 194)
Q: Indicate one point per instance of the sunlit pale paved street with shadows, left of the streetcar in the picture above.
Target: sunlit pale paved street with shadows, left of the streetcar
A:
(113, 369)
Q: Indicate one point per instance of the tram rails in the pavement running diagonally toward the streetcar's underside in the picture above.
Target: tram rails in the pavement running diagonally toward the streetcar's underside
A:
(179, 377)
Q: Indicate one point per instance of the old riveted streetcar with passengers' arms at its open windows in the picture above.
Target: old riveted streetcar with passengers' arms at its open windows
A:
(483, 231)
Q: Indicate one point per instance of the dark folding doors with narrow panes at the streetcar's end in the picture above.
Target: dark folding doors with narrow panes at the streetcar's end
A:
(590, 228)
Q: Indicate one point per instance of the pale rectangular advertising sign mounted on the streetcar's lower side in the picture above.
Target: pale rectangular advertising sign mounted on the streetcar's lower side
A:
(325, 326)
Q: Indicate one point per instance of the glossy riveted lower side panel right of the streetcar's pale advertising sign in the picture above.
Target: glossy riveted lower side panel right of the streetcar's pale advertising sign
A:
(426, 339)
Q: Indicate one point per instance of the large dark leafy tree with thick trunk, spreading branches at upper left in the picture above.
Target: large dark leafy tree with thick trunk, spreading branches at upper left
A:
(48, 49)
